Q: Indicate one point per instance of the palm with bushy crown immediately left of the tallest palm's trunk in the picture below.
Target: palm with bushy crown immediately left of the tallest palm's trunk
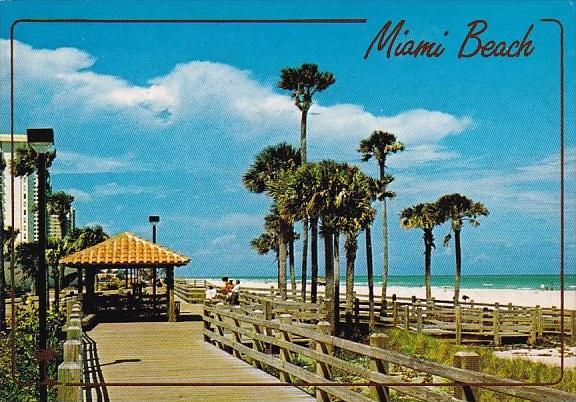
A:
(267, 167)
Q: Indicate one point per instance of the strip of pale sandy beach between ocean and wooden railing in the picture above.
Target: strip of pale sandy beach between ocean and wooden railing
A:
(520, 297)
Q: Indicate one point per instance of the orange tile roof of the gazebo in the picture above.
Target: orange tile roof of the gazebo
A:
(125, 250)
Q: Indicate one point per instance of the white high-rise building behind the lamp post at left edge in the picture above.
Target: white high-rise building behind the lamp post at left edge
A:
(25, 193)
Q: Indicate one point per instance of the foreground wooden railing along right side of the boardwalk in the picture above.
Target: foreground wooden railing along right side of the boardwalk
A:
(278, 343)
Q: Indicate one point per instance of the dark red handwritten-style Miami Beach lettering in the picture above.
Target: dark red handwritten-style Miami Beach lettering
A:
(395, 41)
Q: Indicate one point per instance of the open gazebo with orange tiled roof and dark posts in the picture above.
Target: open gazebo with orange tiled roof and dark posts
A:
(127, 251)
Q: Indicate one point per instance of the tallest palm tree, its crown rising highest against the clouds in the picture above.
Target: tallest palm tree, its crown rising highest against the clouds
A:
(304, 82)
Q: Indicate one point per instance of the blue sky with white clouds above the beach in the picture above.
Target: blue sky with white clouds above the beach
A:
(164, 119)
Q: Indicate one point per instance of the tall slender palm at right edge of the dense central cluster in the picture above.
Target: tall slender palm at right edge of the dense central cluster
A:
(379, 145)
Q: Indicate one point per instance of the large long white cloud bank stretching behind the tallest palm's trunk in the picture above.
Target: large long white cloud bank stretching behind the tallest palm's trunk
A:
(207, 93)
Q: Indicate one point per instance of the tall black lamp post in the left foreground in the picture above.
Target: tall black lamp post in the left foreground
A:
(41, 140)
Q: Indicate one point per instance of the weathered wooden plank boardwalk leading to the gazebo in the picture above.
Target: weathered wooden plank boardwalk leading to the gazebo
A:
(172, 352)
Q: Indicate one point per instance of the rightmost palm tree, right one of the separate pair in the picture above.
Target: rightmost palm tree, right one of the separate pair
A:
(457, 208)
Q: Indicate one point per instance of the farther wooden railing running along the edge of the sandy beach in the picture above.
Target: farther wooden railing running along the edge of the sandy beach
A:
(465, 322)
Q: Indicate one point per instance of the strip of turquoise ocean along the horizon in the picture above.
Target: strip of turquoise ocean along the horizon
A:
(468, 281)
